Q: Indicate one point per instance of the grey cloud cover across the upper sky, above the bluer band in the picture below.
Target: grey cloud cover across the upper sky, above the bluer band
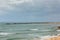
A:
(31, 6)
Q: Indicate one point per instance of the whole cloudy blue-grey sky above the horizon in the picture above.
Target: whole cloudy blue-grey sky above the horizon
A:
(29, 10)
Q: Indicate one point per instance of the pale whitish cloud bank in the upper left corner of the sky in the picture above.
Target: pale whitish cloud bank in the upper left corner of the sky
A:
(6, 5)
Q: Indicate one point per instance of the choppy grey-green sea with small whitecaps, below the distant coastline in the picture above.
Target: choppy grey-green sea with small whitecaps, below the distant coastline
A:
(27, 31)
